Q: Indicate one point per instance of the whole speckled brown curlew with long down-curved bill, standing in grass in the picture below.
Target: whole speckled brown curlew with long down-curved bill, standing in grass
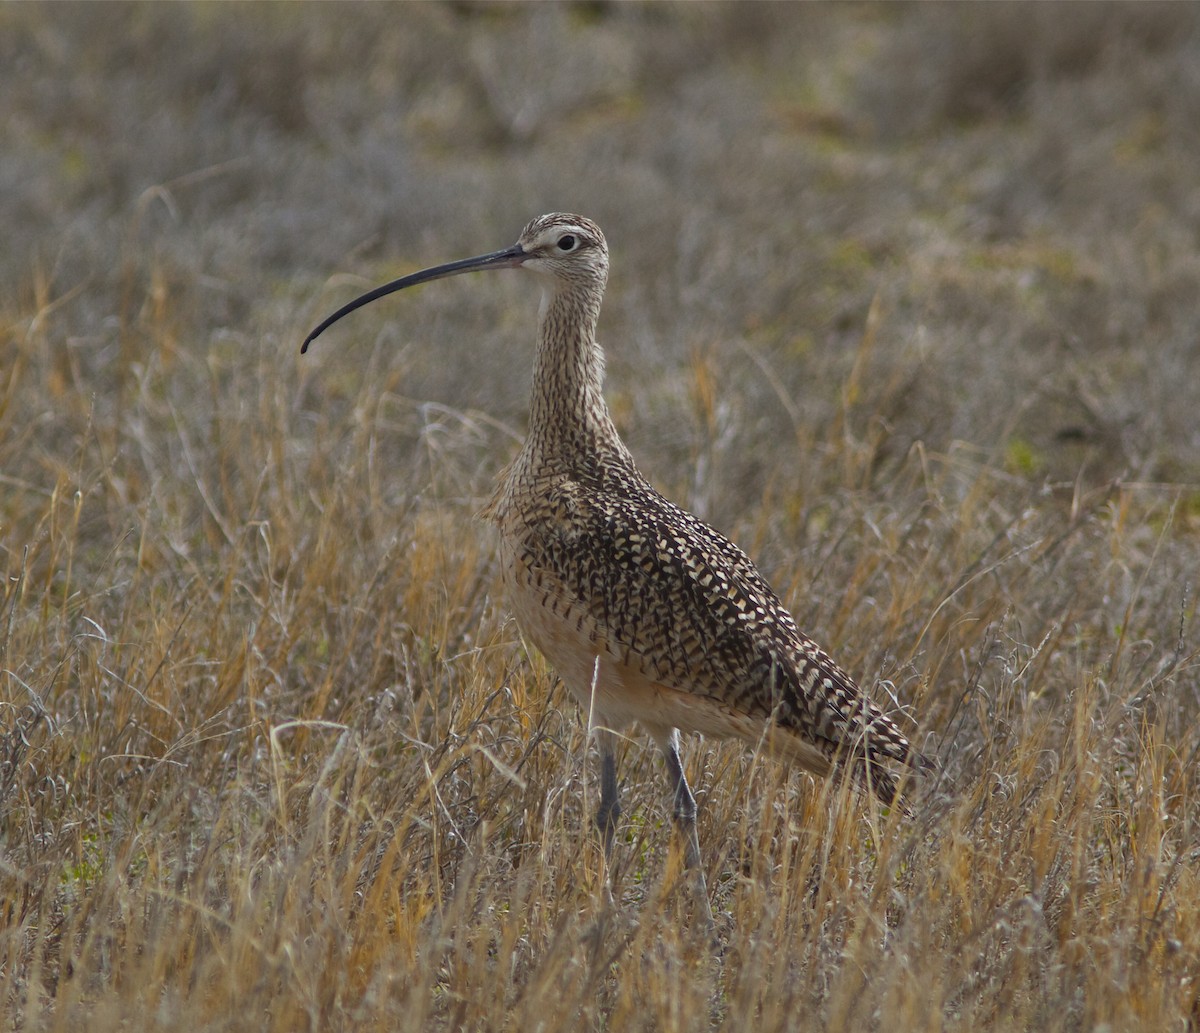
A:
(646, 614)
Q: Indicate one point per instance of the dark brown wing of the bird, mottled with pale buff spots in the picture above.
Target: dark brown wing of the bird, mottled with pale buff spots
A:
(689, 610)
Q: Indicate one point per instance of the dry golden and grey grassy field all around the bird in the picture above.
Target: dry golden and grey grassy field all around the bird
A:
(904, 301)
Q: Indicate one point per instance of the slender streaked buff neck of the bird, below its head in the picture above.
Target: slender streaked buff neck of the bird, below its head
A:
(569, 422)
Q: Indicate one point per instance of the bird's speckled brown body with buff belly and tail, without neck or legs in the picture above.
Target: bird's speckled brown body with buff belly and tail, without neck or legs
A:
(687, 630)
